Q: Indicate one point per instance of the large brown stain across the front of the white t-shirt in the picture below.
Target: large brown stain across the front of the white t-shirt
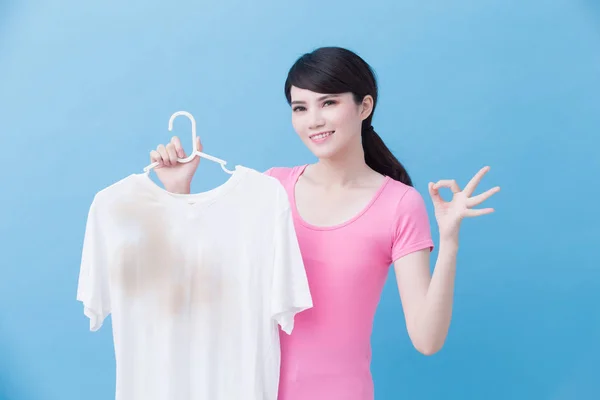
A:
(156, 263)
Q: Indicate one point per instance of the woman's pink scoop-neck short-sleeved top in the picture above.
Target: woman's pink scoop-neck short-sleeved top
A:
(328, 355)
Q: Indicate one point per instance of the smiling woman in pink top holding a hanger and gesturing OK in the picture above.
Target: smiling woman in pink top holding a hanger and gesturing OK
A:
(355, 213)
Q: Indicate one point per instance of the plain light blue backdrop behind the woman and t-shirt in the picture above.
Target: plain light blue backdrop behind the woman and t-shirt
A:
(86, 91)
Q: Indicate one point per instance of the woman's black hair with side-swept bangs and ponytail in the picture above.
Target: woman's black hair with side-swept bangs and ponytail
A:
(335, 70)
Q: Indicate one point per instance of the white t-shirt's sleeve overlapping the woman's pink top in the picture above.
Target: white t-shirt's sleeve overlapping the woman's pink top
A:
(290, 293)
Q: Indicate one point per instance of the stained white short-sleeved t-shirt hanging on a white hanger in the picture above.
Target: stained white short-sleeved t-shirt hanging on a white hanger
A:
(197, 286)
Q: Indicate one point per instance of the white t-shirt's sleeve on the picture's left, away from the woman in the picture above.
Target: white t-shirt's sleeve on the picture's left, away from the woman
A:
(93, 289)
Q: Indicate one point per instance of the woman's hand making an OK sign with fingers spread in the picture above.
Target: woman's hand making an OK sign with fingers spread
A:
(449, 214)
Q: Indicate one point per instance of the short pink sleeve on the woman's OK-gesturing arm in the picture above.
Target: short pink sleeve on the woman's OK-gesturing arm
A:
(411, 229)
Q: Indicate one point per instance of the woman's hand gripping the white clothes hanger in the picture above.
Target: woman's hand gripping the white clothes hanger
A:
(176, 177)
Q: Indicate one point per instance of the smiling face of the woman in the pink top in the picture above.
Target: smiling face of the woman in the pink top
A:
(328, 124)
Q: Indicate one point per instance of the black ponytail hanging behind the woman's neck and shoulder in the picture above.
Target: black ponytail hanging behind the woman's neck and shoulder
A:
(379, 158)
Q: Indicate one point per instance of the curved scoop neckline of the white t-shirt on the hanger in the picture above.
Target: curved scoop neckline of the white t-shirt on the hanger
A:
(198, 200)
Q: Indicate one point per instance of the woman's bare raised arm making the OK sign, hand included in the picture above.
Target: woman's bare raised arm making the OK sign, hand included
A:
(428, 300)
